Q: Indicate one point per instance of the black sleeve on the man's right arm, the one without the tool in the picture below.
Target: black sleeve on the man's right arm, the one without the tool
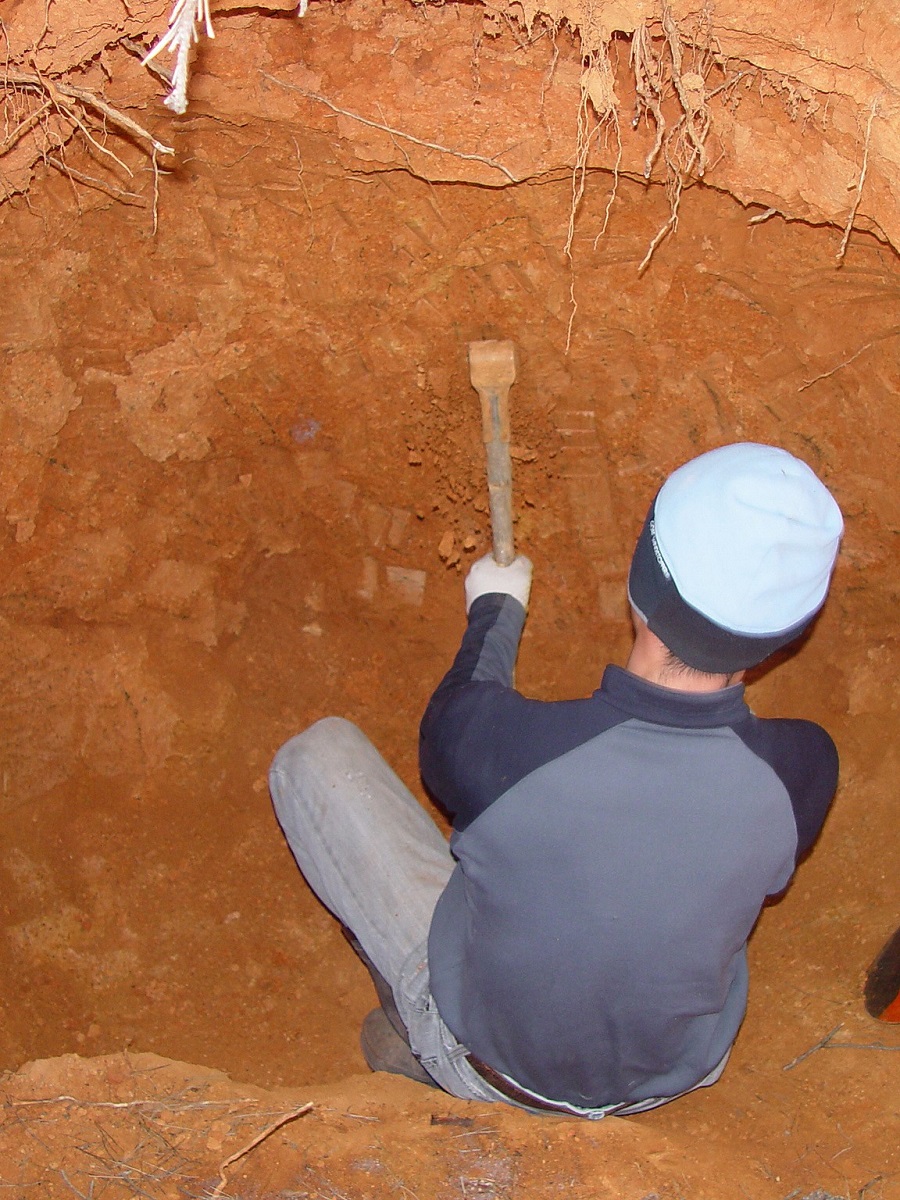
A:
(806, 760)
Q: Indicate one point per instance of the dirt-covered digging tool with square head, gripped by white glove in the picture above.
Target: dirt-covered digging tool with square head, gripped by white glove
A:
(493, 370)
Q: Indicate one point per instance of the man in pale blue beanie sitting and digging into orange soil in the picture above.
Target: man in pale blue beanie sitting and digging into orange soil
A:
(581, 945)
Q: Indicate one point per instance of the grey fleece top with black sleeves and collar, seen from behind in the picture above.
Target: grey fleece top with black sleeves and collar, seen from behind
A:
(613, 855)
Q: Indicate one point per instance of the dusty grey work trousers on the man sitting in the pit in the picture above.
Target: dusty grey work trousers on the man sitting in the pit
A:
(379, 862)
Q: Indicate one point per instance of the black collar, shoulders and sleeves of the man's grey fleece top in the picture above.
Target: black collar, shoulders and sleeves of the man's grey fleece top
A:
(479, 736)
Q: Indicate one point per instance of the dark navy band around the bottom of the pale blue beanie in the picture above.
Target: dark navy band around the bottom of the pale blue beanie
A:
(694, 639)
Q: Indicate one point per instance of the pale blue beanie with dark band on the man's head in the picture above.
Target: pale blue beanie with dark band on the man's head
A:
(736, 556)
